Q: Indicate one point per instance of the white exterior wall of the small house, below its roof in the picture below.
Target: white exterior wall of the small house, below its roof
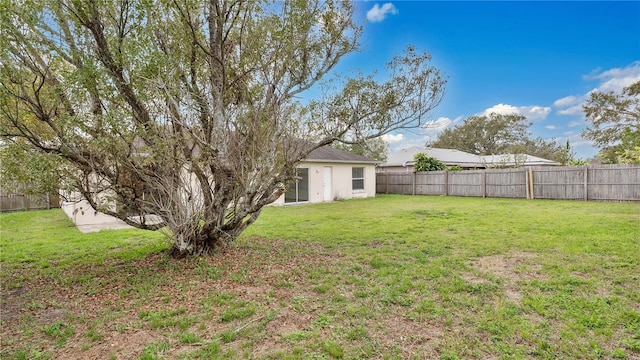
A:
(341, 182)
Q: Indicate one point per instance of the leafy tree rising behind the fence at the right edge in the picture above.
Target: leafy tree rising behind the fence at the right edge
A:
(615, 122)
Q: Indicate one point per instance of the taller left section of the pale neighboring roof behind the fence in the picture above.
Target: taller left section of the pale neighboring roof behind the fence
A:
(449, 157)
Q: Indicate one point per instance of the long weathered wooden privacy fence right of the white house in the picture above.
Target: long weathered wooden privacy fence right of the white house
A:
(601, 182)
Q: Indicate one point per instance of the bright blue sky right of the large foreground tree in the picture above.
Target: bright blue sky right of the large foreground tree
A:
(540, 59)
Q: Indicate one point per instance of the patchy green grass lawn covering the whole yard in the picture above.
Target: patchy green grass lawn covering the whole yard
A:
(391, 277)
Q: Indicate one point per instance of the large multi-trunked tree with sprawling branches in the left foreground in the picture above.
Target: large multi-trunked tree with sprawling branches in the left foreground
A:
(187, 109)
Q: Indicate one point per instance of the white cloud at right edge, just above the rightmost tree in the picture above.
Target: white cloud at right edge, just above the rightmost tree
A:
(610, 80)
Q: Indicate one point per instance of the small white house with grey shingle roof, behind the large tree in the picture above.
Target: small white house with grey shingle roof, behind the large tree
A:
(329, 174)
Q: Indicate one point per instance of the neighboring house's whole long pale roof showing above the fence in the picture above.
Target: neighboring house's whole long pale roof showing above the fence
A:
(402, 161)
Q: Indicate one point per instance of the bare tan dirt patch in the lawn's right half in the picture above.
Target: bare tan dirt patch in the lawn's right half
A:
(511, 268)
